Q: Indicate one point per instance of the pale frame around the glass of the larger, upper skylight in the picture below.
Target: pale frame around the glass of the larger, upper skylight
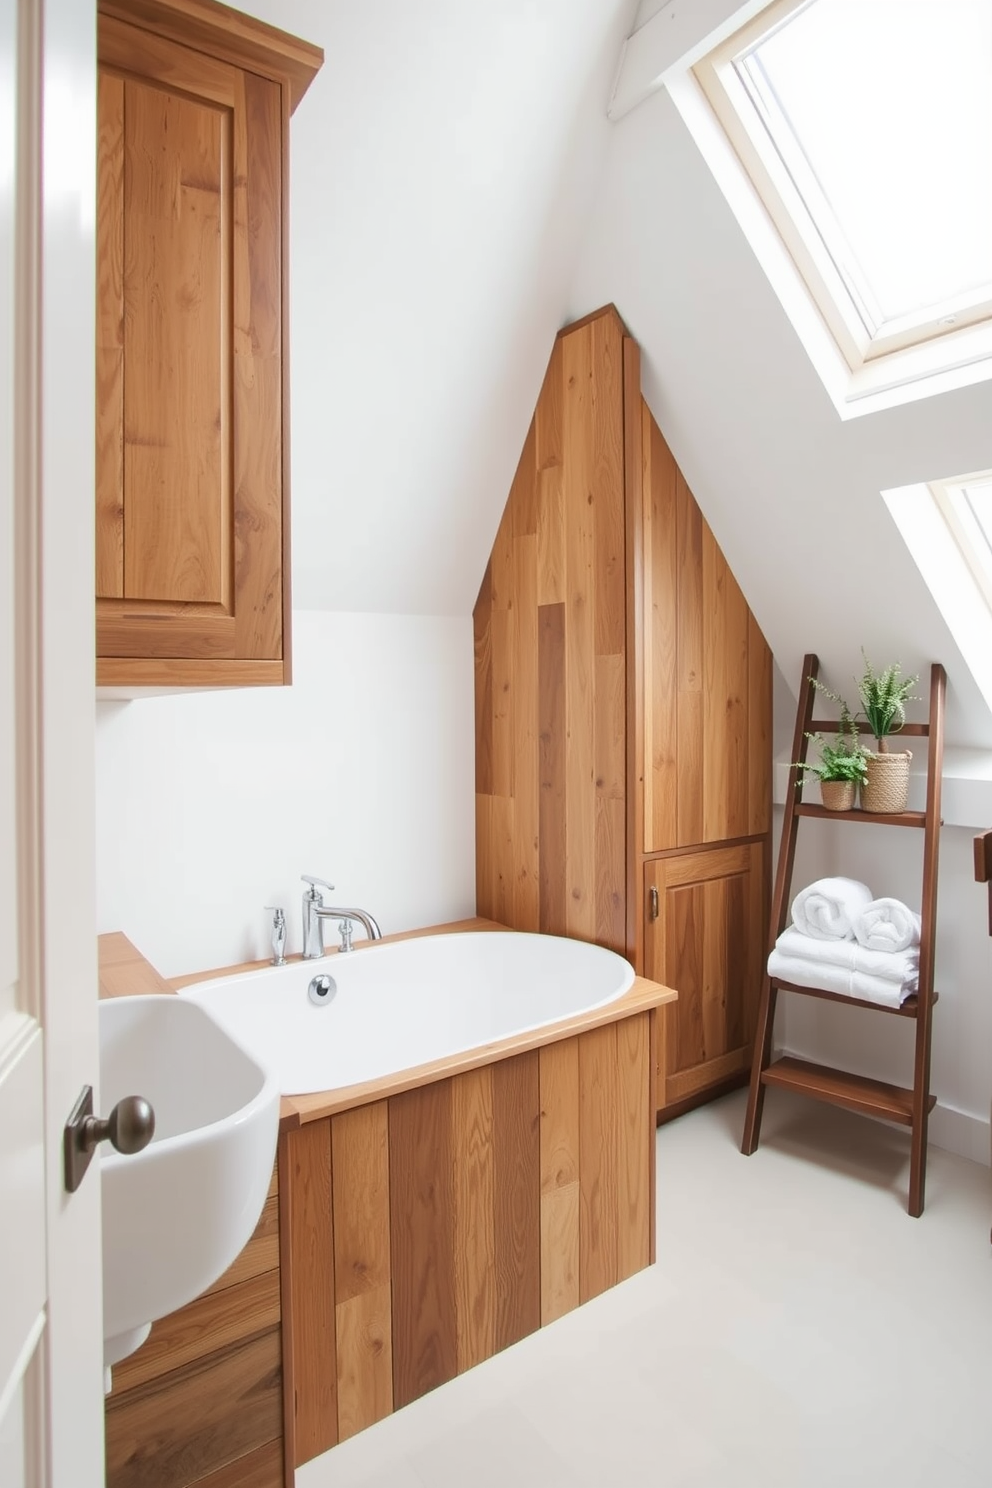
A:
(773, 158)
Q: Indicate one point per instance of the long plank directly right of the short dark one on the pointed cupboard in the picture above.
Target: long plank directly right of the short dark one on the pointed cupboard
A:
(579, 423)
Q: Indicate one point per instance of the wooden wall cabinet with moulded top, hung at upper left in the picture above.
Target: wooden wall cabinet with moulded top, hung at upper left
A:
(193, 435)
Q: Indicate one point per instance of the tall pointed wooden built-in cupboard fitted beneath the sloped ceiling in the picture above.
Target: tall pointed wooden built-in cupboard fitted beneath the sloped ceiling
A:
(624, 715)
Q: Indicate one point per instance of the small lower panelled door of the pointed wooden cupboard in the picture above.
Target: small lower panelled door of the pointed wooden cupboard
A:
(707, 941)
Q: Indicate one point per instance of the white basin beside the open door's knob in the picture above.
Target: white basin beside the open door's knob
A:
(176, 1215)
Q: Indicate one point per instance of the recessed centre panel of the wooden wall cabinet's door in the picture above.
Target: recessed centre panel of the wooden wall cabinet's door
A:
(176, 377)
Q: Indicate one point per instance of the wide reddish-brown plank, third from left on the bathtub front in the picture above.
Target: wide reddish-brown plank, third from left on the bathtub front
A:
(422, 1242)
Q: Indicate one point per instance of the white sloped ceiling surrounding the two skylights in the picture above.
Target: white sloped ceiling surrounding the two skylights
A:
(790, 490)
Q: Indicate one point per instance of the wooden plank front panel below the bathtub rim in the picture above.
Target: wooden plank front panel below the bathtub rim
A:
(431, 1230)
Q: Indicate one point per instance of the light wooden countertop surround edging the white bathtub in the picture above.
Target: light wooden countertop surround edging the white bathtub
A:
(124, 971)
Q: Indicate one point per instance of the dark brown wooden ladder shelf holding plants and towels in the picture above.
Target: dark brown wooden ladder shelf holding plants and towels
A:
(909, 1106)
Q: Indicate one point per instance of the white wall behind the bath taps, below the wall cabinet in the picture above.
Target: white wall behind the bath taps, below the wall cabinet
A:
(210, 806)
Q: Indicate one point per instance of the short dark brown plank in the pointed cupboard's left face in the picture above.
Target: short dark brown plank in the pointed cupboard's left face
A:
(551, 690)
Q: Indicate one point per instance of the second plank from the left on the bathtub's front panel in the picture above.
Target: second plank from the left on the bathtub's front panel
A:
(361, 1196)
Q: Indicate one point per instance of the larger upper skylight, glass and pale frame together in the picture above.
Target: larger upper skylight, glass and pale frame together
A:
(866, 130)
